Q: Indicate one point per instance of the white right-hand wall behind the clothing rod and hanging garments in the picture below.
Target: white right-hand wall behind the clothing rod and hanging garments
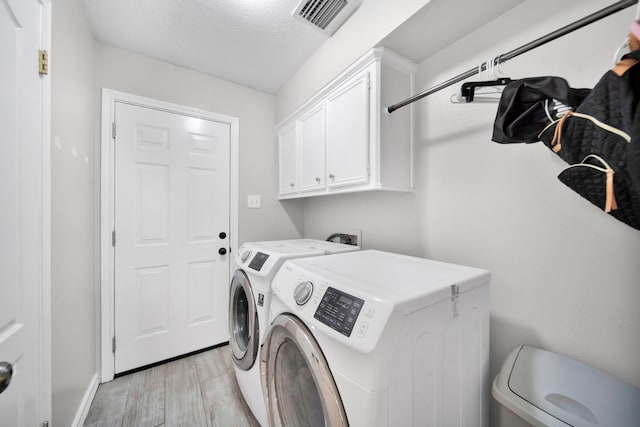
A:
(565, 276)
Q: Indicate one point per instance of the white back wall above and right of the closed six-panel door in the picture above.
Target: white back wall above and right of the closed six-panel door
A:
(140, 75)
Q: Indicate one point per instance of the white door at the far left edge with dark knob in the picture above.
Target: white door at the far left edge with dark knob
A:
(23, 252)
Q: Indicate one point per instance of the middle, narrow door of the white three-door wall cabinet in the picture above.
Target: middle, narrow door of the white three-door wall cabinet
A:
(312, 144)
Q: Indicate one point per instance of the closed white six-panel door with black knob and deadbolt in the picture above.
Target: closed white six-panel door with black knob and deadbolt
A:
(171, 234)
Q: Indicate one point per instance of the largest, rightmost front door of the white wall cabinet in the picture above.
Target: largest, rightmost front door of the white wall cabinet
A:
(348, 133)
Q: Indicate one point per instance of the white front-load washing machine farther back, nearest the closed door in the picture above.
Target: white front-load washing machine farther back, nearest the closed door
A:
(249, 302)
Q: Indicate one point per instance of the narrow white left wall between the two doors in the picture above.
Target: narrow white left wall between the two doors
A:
(73, 209)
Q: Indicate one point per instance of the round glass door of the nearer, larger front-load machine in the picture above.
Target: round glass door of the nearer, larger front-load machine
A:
(297, 383)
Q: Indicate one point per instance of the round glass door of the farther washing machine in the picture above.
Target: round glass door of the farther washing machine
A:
(244, 333)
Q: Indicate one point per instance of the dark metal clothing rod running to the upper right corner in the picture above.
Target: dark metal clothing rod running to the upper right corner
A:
(596, 16)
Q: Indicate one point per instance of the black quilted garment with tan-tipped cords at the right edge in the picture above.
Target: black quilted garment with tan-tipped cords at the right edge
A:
(596, 139)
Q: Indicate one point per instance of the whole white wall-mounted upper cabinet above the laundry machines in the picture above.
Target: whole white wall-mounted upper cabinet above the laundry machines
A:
(343, 140)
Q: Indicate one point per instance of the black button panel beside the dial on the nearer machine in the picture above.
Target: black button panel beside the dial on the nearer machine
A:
(339, 310)
